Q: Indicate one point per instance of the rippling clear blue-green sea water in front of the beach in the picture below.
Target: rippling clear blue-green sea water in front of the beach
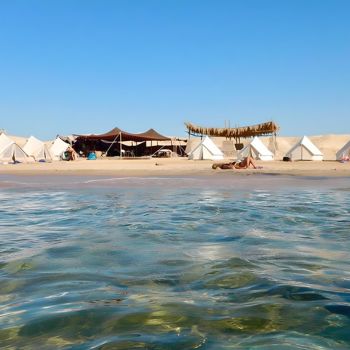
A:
(245, 262)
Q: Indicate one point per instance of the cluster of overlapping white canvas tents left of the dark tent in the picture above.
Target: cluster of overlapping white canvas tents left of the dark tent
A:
(33, 150)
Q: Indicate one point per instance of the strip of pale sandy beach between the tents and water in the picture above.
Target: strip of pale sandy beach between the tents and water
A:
(173, 167)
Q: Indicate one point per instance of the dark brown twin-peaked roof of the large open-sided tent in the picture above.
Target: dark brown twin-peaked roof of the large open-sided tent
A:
(114, 134)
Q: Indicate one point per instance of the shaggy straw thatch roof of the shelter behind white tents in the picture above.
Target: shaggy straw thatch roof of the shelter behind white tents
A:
(268, 128)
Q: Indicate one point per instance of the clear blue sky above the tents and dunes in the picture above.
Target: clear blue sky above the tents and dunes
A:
(87, 66)
